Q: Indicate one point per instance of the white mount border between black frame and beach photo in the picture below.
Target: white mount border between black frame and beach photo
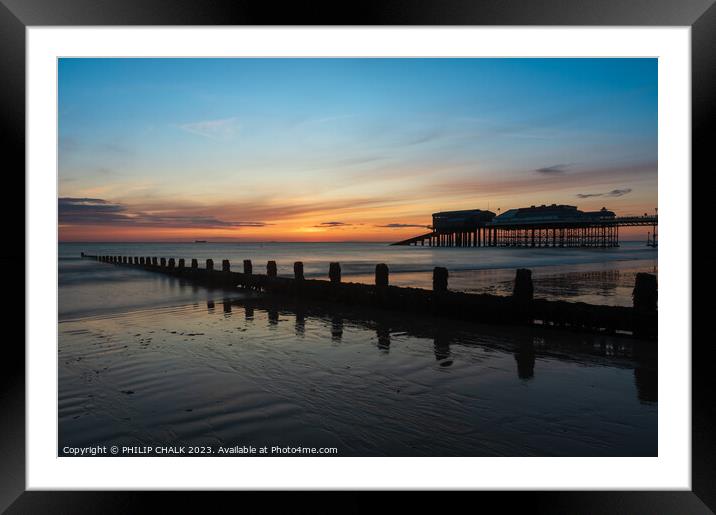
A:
(671, 470)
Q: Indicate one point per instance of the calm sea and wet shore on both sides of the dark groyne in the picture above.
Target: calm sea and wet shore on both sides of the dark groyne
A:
(146, 359)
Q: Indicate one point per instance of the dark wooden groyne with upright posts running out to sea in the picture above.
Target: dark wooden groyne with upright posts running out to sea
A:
(519, 309)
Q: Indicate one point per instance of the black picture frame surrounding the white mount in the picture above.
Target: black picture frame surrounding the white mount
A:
(16, 15)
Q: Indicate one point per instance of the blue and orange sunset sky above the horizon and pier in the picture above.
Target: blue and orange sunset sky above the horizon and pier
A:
(344, 149)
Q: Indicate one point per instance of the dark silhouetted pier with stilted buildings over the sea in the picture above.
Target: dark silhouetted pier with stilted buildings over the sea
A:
(555, 226)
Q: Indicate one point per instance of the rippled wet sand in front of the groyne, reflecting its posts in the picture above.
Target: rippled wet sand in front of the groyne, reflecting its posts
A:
(372, 384)
